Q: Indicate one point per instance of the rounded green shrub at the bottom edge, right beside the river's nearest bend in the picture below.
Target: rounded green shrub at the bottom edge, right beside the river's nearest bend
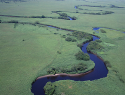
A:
(49, 88)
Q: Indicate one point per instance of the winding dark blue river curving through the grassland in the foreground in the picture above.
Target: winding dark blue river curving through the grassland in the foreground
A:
(100, 71)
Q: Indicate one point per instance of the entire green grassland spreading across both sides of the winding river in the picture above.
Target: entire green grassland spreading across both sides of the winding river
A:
(27, 51)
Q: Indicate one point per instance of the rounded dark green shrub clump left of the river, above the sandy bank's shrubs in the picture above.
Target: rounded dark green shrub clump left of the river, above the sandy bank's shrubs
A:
(82, 56)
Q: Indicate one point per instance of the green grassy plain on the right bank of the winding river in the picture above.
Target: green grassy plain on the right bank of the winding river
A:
(114, 83)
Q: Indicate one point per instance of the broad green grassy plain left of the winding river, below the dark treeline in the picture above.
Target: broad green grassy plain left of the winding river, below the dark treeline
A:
(27, 52)
